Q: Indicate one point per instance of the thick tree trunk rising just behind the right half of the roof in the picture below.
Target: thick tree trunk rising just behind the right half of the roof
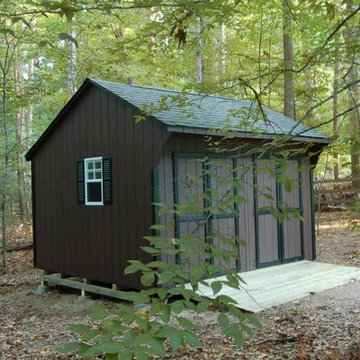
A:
(289, 92)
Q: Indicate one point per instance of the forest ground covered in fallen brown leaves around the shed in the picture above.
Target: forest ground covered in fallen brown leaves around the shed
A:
(325, 325)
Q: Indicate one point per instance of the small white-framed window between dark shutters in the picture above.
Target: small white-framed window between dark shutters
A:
(93, 181)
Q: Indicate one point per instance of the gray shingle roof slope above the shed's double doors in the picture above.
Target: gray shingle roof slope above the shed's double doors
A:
(207, 112)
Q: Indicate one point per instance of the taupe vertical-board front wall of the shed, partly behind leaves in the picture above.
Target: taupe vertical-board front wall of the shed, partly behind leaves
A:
(269, 236)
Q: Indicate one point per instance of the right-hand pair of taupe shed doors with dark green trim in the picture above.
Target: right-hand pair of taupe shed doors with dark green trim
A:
(277, 242)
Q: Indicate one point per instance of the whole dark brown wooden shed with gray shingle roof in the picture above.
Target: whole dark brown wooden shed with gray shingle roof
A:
(96, 173)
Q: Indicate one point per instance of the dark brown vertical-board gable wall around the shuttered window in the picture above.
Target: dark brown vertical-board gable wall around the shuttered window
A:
(95, 242)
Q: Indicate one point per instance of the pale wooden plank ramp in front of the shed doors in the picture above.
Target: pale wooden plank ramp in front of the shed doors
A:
(277, 285)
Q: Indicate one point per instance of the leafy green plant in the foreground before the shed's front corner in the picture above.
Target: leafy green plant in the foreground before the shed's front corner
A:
(127, 333)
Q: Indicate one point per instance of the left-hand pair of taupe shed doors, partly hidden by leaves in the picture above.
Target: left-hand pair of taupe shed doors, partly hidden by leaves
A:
(201, 184)
